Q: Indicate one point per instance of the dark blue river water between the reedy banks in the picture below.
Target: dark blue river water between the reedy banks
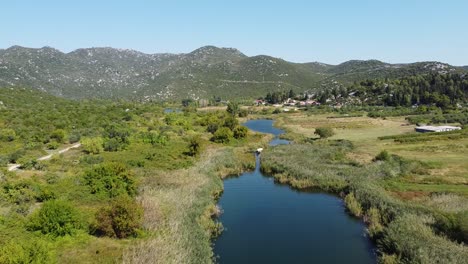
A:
(271, 223)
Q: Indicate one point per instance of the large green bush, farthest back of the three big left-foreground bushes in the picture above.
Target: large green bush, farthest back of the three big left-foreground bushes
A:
(110, 179)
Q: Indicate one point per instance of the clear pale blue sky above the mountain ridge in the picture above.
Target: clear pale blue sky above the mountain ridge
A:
(330, 31)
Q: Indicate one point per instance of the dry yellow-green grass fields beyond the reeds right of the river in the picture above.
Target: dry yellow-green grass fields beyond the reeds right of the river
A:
(447, 160)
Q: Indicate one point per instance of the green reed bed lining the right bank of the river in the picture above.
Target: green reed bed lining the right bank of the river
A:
(403, 232)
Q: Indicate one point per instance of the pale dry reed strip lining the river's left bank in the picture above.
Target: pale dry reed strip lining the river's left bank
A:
(180, 206)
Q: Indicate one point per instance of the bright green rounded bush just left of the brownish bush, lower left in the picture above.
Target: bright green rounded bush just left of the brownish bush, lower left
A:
(56, 218)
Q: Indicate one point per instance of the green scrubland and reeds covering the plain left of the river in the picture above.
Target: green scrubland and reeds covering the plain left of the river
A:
(94, 203)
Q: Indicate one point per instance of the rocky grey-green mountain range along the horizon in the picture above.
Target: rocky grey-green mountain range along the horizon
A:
(206, 72)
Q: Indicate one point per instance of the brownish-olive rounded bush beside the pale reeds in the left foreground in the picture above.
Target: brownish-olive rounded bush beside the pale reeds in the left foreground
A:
(120, 219)
